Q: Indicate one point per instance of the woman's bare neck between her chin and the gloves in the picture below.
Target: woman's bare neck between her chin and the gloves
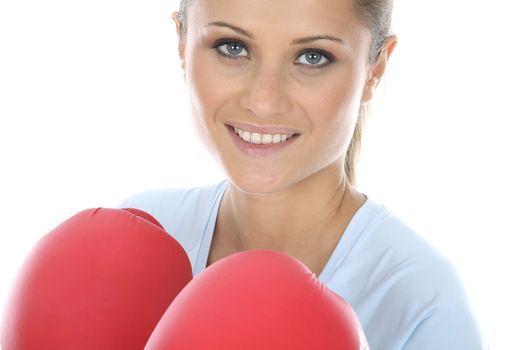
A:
(304, 220)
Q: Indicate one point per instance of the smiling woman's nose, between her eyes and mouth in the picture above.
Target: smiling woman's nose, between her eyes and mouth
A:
(265, 94)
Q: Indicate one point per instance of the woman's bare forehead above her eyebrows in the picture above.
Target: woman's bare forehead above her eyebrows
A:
(281, 17)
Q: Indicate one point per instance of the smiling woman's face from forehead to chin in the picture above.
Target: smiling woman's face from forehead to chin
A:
(270, 68)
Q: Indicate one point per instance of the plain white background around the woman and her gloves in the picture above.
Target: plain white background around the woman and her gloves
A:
(93, 109)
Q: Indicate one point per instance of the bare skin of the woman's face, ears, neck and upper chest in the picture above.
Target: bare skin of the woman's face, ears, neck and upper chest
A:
(297, 200)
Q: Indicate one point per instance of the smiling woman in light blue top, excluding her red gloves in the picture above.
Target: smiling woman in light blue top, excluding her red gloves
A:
(278, 91)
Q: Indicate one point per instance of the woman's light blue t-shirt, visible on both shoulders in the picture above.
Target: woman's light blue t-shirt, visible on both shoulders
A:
(405, 294)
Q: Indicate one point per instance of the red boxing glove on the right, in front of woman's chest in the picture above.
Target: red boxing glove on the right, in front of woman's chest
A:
(259, 299)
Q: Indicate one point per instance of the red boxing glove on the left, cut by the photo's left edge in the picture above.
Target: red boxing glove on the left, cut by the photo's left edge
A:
(101, 280)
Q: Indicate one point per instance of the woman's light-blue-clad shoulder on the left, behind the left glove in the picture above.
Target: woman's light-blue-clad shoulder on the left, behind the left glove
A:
(183, 212)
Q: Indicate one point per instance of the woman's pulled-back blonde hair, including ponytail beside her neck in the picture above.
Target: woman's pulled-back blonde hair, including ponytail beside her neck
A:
(377, 14)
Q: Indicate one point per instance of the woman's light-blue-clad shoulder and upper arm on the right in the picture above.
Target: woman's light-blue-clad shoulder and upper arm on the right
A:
(404, 289)
